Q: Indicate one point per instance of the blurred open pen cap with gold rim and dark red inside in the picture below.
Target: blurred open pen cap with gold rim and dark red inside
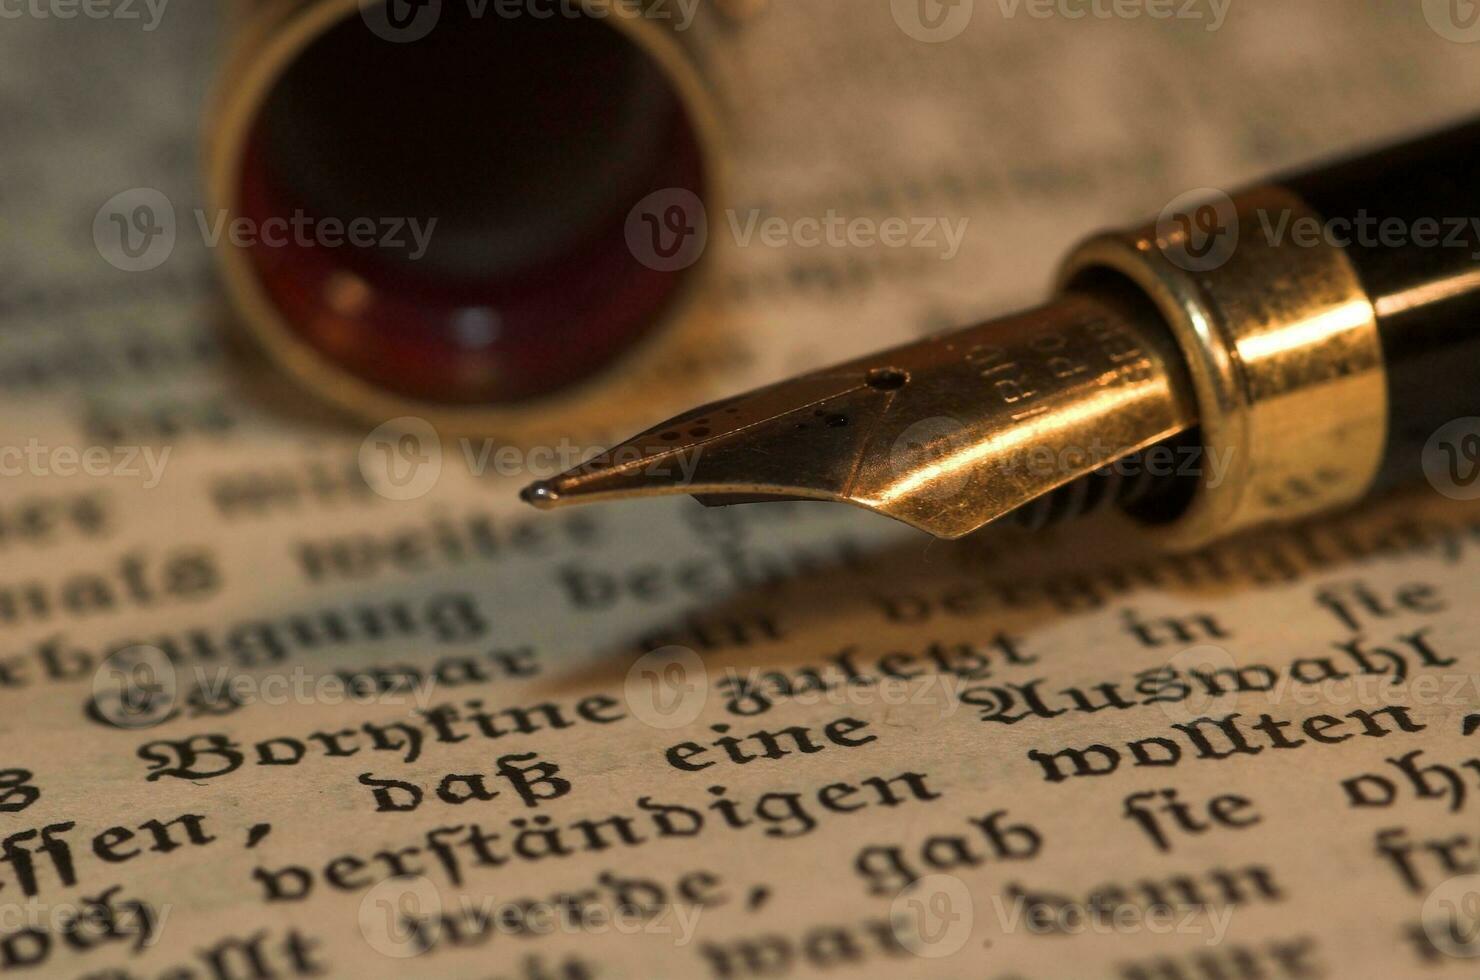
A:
(461, 209)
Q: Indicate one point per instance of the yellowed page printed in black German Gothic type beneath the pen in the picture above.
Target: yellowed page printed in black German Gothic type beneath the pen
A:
(391, 723)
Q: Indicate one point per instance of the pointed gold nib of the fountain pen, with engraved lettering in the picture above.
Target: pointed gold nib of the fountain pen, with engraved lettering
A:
(946, 434)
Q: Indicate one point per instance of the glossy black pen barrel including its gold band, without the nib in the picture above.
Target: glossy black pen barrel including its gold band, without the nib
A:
(1330, 322)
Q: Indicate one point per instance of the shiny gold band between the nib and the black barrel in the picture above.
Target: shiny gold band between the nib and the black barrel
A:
(1282, 347)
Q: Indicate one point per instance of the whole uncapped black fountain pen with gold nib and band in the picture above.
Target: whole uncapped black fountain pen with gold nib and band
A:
(1244, 360)
